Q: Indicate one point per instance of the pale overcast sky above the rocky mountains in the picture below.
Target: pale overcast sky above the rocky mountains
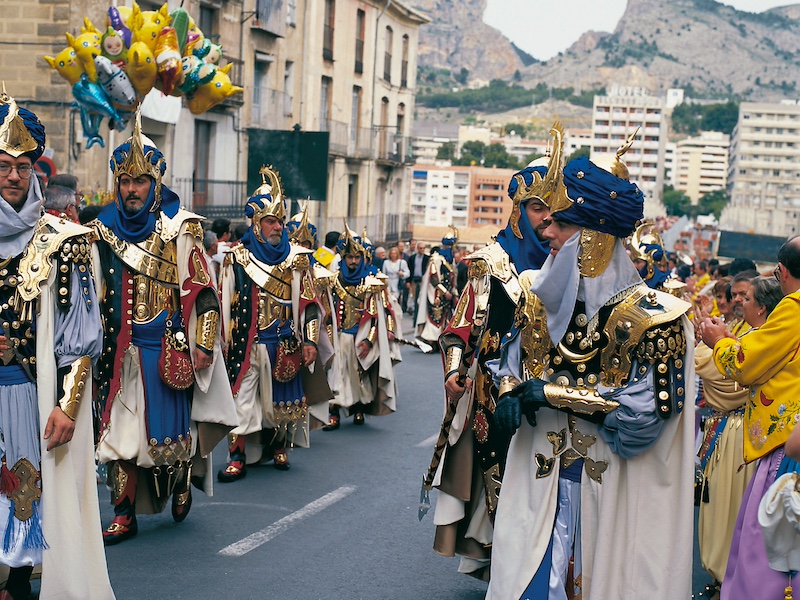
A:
(543, 28)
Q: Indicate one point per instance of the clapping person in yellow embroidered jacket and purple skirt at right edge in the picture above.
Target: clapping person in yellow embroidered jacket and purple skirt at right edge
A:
(767, 361)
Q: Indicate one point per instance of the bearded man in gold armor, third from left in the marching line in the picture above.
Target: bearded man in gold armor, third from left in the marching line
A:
(272, 329)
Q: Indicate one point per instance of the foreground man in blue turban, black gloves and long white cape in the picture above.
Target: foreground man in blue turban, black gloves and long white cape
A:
(598, 364)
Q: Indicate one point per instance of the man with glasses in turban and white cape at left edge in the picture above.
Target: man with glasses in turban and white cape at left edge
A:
(50, 334)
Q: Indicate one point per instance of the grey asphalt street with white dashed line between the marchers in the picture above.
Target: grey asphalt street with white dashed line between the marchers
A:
(341, 524)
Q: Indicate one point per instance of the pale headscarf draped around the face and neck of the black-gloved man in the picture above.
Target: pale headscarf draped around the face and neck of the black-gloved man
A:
(559, 285)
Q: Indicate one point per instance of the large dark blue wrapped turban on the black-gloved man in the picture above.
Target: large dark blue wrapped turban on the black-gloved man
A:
(601, 201)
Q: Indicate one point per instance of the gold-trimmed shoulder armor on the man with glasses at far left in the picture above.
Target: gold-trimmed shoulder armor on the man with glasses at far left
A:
(51, 236)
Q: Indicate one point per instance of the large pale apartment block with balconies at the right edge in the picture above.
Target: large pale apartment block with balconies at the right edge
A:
(764, 170)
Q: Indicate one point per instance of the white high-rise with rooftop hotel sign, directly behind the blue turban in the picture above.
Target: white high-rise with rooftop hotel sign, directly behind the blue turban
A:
(617, 116)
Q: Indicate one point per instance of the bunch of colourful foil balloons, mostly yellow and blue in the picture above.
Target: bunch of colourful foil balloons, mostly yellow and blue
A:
(111, 72)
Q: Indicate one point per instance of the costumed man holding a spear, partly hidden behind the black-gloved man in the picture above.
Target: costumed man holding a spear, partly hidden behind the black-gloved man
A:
(469, 457)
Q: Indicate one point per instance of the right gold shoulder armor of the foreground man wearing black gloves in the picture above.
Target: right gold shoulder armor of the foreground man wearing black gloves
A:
(643, 310)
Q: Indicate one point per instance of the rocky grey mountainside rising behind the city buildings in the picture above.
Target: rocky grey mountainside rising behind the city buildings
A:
(702, 45)
